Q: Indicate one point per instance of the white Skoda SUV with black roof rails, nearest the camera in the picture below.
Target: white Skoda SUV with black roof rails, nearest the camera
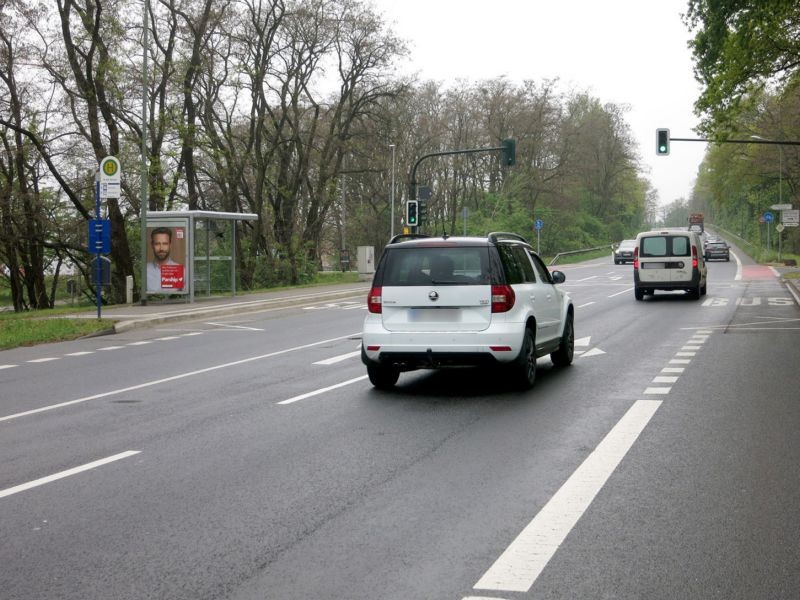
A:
(462, 301)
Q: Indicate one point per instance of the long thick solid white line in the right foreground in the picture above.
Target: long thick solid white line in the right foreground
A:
(520, 565)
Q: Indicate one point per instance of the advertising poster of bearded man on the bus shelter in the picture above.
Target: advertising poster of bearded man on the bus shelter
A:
(166, 259)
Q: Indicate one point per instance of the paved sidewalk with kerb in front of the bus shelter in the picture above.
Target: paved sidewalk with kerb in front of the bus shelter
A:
(156, 312)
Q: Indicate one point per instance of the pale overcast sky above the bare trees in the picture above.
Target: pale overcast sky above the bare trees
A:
(629, 52)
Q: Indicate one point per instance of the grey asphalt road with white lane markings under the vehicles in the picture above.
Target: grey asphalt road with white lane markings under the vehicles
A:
(248, 457)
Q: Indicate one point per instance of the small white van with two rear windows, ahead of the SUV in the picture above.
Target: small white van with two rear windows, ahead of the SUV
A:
(669, 260)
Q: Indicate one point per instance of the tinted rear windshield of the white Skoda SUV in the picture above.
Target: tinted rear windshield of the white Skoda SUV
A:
(462, 265)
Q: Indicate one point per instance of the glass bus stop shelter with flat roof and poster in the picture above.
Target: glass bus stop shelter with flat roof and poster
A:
(191, 253)
